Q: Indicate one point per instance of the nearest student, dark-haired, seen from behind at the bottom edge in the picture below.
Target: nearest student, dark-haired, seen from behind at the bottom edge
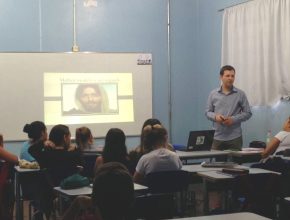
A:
(112, 196)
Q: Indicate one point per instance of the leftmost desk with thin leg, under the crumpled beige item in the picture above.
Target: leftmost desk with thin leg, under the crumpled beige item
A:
(18, 199)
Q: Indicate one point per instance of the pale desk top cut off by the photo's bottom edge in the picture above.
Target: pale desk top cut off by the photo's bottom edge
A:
(235, 216)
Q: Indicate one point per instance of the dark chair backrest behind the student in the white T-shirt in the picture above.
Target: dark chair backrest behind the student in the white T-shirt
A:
(167, 181)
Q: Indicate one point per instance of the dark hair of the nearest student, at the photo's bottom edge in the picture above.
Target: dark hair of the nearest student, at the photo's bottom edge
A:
(113, 191)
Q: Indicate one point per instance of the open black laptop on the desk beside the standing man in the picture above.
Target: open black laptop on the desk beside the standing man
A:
(200, 140)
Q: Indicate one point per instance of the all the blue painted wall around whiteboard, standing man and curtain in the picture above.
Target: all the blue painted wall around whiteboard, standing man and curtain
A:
(180, 89)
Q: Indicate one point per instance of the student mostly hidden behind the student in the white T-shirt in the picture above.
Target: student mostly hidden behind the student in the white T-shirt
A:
(142, 149)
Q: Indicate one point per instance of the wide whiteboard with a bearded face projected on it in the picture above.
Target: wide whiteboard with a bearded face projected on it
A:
(97, 90)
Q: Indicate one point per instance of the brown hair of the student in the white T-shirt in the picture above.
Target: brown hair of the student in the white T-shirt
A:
(154, 135)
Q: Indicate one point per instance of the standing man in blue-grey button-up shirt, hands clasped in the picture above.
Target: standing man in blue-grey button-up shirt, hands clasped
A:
(227, 106)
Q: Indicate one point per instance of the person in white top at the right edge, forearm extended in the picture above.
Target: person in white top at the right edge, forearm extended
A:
(280, 142)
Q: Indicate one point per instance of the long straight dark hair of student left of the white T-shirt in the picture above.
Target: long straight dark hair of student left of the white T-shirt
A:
(115, 146)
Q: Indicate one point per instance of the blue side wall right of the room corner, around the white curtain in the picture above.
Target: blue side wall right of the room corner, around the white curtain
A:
(210, 22)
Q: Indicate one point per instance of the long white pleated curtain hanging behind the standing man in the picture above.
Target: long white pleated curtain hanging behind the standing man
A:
(256, 41)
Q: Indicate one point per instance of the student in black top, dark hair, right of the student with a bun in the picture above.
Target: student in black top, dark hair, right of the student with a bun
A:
(57, 155)
